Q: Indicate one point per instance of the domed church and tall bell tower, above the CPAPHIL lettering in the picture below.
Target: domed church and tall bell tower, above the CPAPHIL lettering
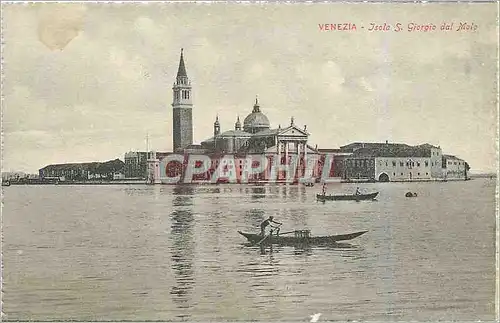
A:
(254, 136)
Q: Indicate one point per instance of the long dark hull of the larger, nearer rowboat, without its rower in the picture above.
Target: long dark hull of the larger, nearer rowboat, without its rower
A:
(297, 240)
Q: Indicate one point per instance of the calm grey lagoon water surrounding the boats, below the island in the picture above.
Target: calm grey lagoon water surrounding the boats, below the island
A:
(173, 253)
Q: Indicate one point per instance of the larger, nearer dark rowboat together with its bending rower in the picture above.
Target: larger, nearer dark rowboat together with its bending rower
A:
(295, 237)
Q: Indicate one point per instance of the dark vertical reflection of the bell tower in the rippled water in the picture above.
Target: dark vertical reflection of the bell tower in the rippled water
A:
(183, 250)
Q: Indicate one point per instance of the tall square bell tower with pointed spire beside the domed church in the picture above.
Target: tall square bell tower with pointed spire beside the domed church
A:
(182, 109)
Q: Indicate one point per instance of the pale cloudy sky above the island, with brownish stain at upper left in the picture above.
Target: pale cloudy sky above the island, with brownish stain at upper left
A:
(88, 82)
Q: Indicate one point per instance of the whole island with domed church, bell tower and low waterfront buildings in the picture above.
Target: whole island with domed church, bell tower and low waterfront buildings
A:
(253, 151)
